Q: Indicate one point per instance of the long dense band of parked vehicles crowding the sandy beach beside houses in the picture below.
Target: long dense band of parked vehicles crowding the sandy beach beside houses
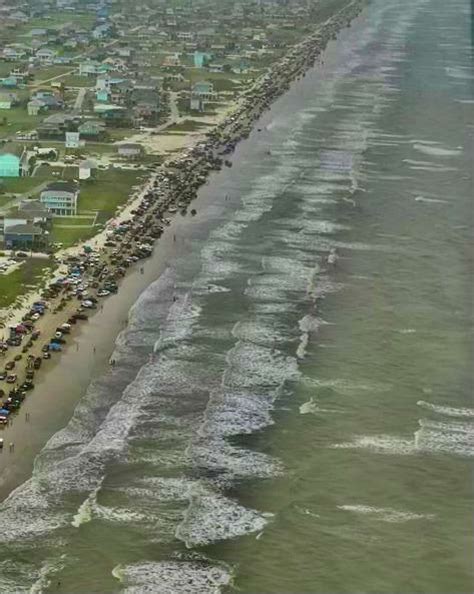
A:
(95, 273)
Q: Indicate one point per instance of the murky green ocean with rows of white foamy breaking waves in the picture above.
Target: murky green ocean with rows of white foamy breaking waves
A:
(305, 423)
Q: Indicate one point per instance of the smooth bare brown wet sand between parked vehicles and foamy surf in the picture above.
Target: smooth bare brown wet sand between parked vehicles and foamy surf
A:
(63, 380)
